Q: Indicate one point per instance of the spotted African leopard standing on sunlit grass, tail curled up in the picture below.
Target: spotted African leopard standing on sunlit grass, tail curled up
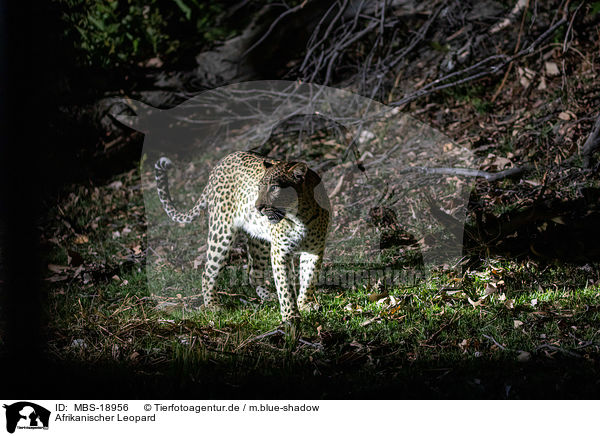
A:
(283, 208)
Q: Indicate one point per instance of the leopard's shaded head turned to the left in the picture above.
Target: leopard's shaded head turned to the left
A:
(279, 189)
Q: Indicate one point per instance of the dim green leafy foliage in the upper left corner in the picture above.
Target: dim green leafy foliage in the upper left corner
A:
(116, 32)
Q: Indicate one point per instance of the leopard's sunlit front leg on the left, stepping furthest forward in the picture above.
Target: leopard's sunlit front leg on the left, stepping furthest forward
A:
(281, 261)
